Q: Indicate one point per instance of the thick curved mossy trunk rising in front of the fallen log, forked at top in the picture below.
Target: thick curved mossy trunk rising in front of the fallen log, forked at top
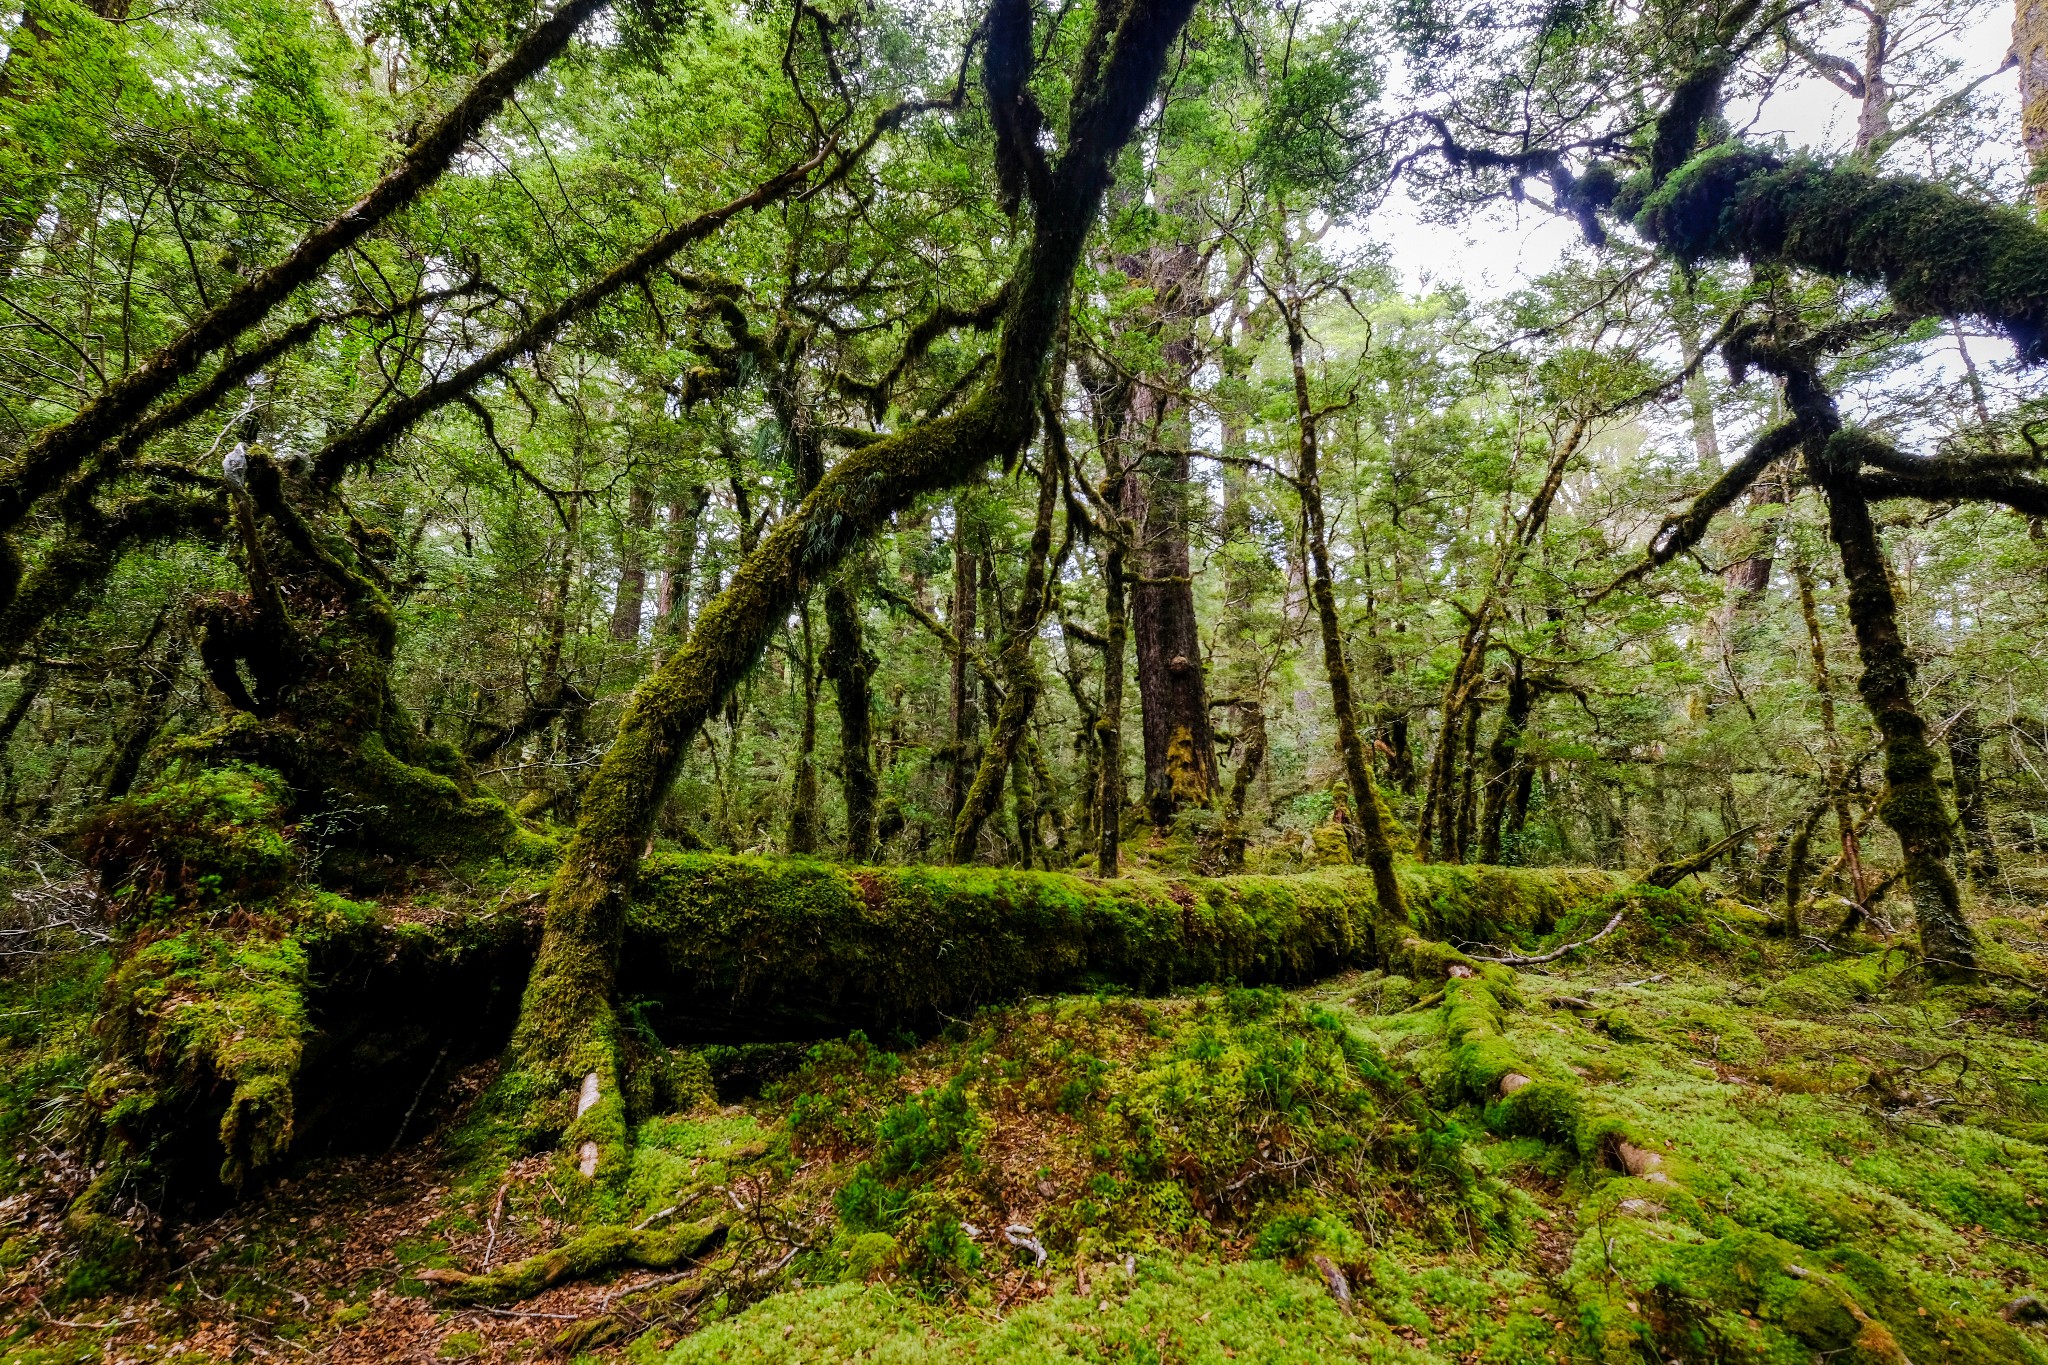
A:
(566, 1045)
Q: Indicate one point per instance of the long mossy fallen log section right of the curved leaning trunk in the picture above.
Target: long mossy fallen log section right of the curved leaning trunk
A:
(751, 946)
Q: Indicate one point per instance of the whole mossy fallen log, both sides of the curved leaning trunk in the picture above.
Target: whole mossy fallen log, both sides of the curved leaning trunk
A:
(372, 1012)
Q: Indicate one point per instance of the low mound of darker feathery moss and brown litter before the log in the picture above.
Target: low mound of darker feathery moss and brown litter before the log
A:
(1240, 1118)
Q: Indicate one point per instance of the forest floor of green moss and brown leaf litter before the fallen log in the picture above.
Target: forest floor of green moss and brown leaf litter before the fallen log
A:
(1732, 1149)
